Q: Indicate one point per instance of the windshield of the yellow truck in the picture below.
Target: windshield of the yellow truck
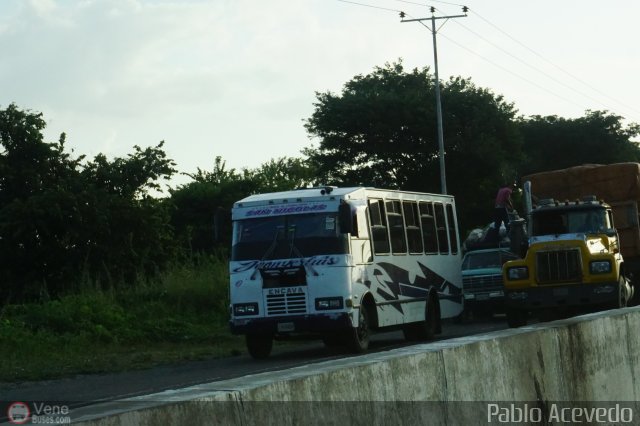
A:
(554, 222)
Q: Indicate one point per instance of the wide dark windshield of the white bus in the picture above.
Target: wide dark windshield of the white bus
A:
(284, 237)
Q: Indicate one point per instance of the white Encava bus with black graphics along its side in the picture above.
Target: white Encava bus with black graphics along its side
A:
(339, 263)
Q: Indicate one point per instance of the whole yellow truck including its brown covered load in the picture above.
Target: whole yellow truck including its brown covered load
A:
(583, 246)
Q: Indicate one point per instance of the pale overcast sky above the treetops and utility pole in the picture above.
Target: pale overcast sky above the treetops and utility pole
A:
(237, 78)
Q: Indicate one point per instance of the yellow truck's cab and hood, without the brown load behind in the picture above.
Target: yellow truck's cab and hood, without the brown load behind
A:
(573, 263)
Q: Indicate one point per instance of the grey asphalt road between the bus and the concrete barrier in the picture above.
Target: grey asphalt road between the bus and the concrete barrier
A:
(88, 389)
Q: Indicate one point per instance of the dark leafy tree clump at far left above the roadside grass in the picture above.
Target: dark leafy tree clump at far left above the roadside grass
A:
(64, 220)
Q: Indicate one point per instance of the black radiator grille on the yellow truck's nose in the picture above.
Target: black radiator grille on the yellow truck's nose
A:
(559, 266)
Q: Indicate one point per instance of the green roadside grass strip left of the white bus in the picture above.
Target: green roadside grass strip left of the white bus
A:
(182, 317)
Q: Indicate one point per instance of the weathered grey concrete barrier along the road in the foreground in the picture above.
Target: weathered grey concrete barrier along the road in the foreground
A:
(585, 363)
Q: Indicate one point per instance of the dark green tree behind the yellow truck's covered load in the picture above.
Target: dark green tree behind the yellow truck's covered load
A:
(599, 137)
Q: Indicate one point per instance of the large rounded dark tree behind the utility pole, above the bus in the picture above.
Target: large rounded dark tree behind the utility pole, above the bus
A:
(381, 131)
